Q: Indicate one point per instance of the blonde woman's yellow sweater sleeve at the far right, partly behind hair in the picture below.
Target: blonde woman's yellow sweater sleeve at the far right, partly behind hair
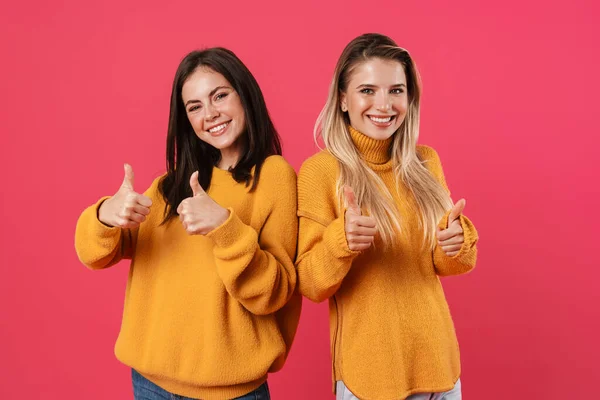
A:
(466, 258)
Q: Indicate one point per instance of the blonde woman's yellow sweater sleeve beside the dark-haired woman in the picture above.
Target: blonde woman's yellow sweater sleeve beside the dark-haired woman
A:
(324, 258)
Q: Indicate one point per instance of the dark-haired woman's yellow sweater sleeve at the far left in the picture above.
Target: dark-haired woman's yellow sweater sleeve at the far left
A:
(99, 246)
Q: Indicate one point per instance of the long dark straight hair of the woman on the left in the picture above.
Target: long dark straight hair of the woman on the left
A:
(186, 153)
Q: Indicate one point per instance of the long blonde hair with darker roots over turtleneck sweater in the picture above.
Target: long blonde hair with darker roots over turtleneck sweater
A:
(371, 193)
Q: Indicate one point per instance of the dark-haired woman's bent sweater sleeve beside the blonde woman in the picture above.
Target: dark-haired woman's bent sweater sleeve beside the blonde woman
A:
(257, 269)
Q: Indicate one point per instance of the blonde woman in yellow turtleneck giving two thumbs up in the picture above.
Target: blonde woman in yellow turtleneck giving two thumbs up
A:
(377, 228)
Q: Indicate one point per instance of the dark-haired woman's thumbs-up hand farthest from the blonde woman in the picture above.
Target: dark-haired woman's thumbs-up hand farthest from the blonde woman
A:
(126, 209)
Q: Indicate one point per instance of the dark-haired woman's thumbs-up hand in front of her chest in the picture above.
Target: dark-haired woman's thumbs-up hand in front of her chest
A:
(200, 214)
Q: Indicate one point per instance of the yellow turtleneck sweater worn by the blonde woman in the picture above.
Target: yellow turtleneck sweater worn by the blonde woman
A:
(391, 330)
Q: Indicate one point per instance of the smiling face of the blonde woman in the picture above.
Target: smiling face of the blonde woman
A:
(376, 98)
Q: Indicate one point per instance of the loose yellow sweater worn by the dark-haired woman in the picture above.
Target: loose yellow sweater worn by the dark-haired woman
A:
(207, 316)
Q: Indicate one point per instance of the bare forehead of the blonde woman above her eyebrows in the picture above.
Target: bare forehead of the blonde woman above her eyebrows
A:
(379, 72)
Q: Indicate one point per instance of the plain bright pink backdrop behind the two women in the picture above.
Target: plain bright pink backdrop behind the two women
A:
(510, 102)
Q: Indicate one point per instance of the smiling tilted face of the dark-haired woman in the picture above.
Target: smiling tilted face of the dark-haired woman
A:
(214, 109)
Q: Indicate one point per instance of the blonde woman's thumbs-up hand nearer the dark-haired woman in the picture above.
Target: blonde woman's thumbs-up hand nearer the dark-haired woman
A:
(360, 230)
